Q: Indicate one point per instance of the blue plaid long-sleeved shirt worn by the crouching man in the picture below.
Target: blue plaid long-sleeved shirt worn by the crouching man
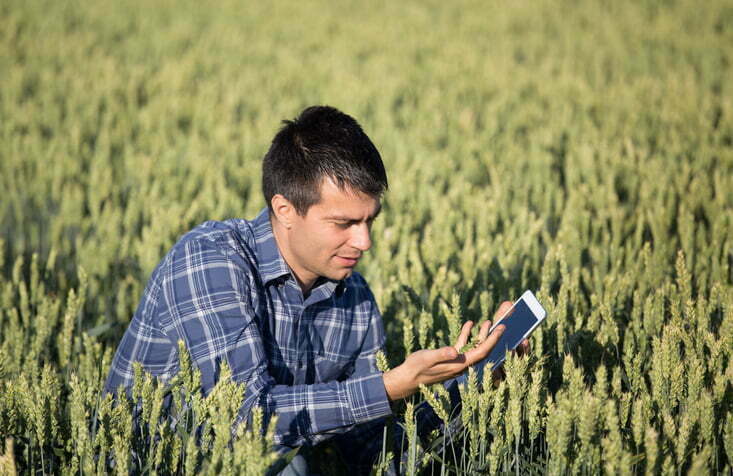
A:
(225, 290)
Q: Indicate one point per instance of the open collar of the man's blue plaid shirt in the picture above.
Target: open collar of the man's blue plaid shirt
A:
(271, 264)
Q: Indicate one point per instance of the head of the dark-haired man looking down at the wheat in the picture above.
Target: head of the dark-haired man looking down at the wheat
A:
(322, 180)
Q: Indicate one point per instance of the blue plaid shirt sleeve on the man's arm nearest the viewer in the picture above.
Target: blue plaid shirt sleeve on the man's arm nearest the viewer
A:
(205, 302)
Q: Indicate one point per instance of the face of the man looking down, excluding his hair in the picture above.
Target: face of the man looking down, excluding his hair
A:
(334, 233)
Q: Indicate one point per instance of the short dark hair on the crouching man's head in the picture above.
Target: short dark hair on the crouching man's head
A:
(321, 142)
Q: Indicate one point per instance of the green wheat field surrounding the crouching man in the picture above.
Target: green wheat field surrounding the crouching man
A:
(580, 149)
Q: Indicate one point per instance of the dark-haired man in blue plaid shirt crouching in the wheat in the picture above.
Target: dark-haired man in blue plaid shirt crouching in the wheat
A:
(277, 297)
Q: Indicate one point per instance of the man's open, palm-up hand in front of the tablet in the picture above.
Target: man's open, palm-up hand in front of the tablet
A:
(432, 366)
